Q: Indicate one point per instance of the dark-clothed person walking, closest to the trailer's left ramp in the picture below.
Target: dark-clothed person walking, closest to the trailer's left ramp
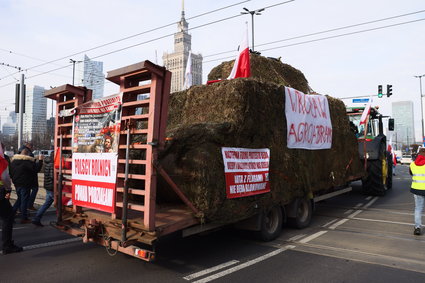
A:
(48, 185)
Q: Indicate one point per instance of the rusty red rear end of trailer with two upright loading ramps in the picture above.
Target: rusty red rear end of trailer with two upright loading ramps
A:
(137, 221)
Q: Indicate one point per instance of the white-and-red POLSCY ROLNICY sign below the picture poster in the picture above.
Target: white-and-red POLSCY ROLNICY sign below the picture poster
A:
(93, 180)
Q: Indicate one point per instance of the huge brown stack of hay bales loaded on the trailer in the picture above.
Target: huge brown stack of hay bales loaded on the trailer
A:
(249, 113)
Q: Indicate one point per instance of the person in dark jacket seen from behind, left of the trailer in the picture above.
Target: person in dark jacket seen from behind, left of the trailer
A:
(22, 169)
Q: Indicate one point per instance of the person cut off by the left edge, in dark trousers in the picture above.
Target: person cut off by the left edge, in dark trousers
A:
(6, 211)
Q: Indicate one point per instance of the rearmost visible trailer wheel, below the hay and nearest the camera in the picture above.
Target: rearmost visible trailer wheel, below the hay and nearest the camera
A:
(271, 223)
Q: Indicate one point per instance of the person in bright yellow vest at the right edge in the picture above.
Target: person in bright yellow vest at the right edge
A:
(417, 170)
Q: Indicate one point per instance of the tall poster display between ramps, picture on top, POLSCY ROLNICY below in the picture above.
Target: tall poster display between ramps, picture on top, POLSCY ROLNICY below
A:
(96, 128)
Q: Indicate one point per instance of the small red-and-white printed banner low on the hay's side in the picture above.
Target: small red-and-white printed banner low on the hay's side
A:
(246, 171)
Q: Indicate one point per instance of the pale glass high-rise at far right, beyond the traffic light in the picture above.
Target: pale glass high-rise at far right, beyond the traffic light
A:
(404, 131)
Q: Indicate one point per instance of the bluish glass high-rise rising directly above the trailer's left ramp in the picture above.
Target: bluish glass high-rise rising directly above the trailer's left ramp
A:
(89, 73)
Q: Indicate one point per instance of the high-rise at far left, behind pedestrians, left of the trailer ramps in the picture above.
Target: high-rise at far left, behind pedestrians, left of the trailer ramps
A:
(35, 112)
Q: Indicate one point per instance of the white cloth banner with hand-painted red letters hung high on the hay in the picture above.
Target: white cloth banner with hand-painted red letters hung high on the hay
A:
(308, 120)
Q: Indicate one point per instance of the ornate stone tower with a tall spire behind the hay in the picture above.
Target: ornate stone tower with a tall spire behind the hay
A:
(176, 62)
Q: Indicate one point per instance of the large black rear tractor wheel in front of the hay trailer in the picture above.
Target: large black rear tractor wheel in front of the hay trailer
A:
(377, 175)
